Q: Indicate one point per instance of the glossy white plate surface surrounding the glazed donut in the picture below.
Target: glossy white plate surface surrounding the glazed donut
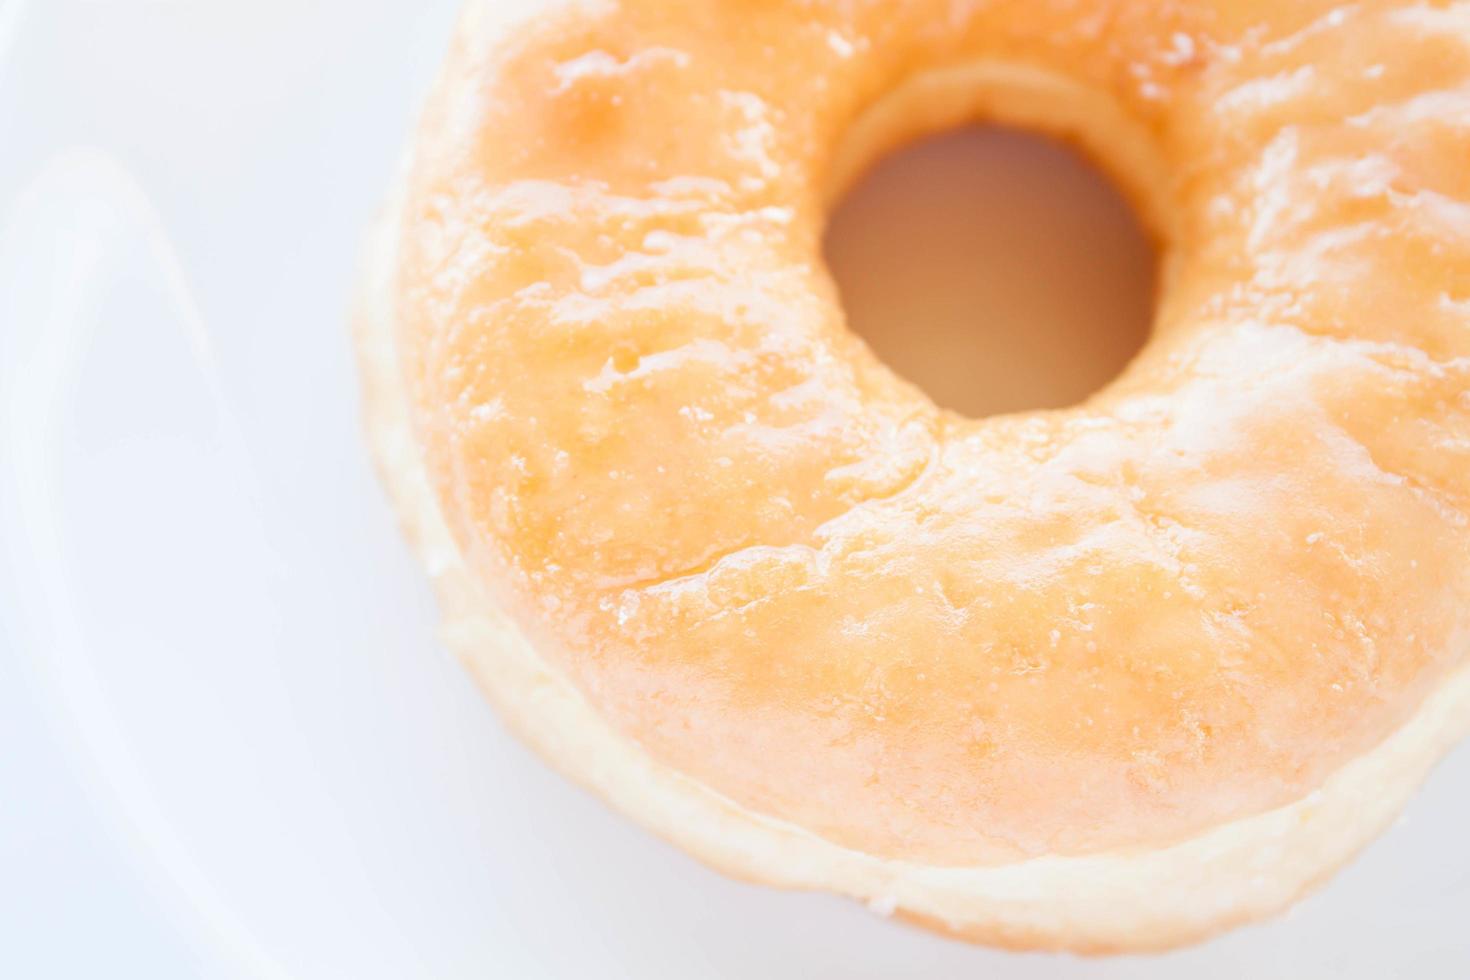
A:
(229, 744)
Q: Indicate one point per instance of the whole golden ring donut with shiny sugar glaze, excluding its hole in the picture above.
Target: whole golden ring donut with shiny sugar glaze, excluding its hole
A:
(1106, 678)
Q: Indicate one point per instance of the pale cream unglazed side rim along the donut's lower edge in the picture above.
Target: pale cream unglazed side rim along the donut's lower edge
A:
(1134, 901)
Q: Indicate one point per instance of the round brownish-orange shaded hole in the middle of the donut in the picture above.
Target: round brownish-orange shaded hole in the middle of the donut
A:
(996, 270)
